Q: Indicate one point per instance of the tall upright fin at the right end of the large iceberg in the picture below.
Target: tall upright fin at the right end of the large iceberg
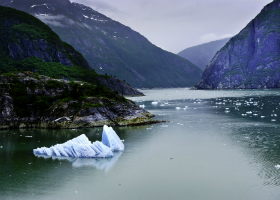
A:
(111, 139)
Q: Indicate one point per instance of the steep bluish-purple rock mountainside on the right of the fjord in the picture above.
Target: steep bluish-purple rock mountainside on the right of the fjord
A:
(251, 59)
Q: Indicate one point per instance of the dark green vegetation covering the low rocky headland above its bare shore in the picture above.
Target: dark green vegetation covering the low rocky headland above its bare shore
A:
(27, 100)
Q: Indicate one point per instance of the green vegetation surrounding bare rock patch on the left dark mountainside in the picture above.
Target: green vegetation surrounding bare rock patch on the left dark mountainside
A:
(16, 25)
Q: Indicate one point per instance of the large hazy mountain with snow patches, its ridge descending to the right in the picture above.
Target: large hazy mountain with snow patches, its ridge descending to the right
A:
(110, 47)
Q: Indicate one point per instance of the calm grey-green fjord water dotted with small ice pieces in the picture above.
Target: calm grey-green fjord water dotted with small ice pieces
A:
(219, 145)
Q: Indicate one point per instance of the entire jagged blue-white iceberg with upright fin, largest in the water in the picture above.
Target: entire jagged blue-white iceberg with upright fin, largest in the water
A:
(81, 147)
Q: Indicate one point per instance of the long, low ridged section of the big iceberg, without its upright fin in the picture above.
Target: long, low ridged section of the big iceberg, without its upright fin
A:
(79, 147)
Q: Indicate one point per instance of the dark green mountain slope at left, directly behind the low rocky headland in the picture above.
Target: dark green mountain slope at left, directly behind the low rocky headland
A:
(30, 45)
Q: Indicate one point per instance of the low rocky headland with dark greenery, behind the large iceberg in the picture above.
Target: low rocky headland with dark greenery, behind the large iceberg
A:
(28, 100)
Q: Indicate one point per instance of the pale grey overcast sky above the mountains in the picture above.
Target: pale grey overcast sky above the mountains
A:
(177, 24)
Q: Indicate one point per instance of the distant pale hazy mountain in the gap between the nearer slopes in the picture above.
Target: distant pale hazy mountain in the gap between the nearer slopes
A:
(201, 55)
